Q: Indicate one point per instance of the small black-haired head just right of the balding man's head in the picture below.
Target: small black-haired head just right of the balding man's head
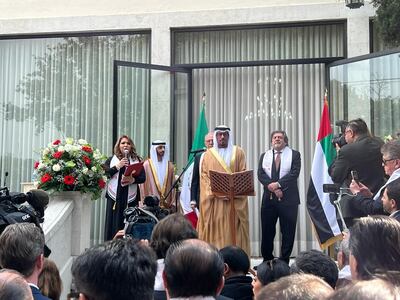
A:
(236, 261)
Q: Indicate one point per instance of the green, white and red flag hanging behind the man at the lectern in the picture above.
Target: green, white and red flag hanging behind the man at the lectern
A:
(198, 143)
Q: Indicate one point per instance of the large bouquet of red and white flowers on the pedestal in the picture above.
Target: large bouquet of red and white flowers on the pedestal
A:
(71, 165)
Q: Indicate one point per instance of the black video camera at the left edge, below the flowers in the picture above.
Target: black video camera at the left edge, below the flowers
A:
(14, 209)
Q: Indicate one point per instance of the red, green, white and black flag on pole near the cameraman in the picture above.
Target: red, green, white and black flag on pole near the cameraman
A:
(320, 209)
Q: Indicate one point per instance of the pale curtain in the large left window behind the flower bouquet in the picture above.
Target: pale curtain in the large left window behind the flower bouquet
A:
(62, 87)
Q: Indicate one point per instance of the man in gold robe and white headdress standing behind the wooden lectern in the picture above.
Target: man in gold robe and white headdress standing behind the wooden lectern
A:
(214, 224)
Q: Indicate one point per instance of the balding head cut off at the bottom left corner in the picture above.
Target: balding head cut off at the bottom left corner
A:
(14, 286)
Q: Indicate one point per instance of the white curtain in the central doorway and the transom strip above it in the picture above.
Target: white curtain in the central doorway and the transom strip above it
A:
(254, 101)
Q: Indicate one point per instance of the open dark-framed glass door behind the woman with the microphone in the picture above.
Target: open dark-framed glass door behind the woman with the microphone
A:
(144, 102)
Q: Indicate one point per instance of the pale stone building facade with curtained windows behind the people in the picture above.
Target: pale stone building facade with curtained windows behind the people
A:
(260, 67)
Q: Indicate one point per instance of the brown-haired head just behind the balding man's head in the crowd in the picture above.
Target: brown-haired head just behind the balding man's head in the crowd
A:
(171, 229)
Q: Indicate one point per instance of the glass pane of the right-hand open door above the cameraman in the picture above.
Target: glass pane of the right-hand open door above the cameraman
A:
(369, 89)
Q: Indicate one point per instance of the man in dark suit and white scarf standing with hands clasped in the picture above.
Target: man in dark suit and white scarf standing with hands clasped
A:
(278, 170)
